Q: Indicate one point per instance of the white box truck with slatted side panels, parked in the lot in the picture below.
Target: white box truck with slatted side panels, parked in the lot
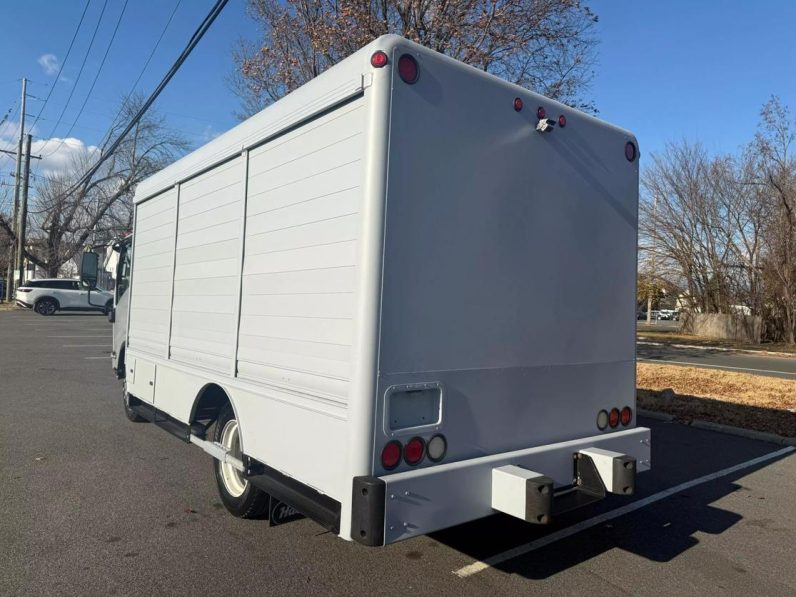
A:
(366, 302)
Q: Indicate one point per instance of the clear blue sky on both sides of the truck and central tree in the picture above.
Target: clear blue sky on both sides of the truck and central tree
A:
(666, 70)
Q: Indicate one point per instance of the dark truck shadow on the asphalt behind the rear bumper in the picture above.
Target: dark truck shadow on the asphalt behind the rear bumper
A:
(658, 532)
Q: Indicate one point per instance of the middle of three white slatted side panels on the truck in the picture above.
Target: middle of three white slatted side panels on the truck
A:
(207, 267)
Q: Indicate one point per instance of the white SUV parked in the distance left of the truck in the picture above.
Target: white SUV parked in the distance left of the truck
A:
(58, 294)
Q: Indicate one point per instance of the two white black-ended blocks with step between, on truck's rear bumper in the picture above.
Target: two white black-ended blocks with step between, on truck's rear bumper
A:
(531, 496)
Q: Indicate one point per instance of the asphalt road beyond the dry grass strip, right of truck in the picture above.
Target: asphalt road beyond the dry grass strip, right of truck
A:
(716, 358)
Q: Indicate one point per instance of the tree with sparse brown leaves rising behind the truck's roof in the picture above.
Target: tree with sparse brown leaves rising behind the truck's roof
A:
(545, 45)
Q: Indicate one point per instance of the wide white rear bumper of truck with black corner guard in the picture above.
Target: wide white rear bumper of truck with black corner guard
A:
(429, 499)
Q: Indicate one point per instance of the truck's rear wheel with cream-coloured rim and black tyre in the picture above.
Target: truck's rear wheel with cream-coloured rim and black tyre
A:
(238, 495)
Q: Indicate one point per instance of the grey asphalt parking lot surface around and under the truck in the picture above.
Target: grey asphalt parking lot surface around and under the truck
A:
(95, 505)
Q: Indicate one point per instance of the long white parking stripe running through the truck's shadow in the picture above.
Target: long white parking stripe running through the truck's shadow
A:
(591, 522)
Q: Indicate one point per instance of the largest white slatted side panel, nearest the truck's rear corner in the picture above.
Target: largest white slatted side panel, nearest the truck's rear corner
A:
(302, 242)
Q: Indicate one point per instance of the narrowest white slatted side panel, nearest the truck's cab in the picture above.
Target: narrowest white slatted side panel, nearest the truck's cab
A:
(153, 262)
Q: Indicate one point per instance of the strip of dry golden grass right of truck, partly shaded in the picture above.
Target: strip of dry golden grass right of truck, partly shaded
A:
(738, 399)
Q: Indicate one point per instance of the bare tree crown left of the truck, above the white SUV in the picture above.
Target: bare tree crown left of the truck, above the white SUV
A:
(64, 218)
